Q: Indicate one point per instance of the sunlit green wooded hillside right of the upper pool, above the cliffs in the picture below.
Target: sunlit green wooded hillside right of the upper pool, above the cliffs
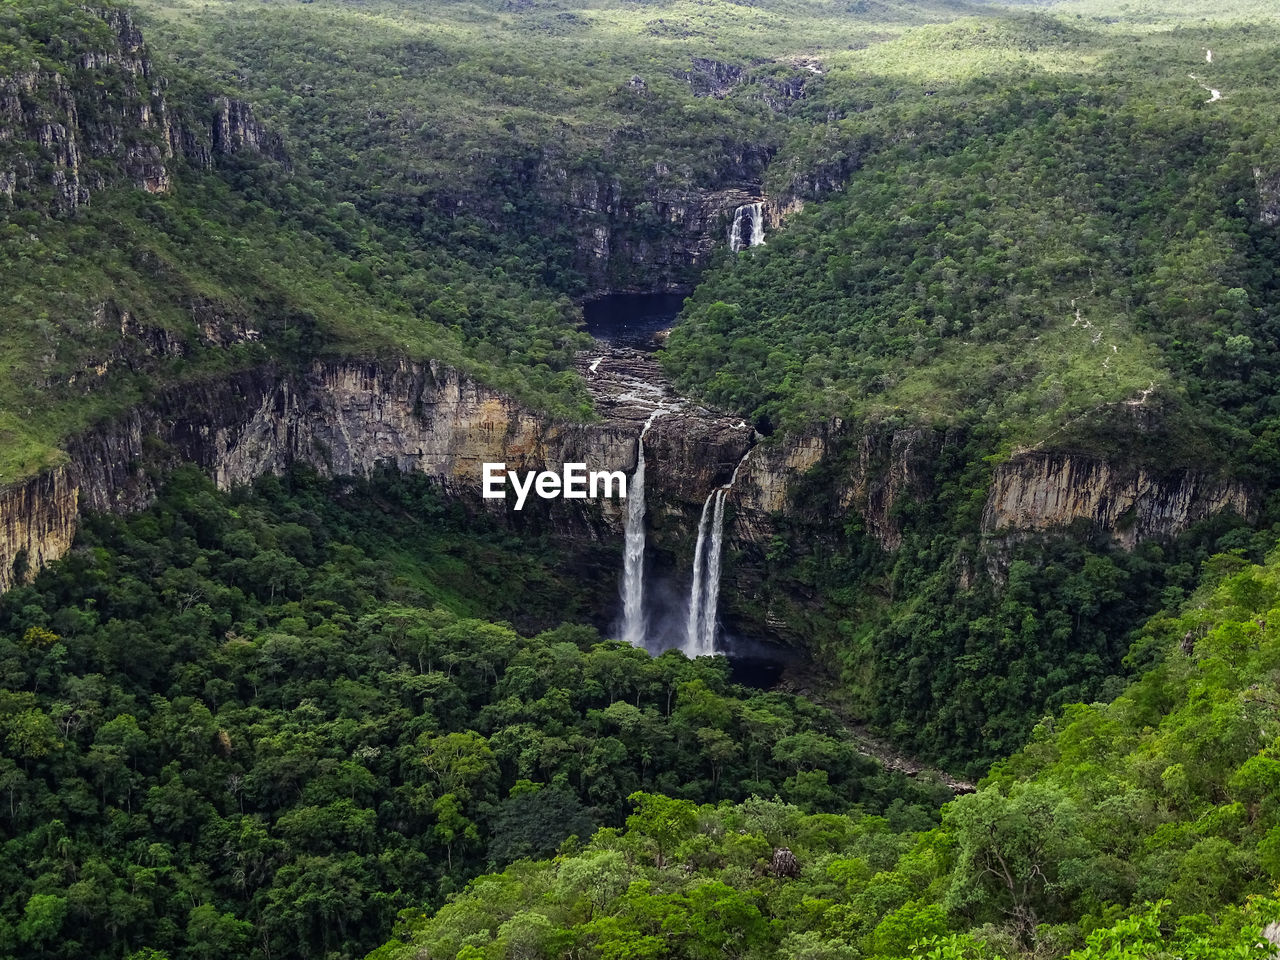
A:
(1060, 246)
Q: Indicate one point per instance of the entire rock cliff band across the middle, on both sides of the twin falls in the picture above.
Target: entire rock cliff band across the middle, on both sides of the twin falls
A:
(351, 418)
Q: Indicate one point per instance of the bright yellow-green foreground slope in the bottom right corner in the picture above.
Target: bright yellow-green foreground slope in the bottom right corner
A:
(1163, 808)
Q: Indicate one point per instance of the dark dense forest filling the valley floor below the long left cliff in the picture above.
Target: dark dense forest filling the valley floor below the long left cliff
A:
(240, 726)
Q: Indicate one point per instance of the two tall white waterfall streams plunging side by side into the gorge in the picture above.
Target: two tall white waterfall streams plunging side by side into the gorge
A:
(705, 591)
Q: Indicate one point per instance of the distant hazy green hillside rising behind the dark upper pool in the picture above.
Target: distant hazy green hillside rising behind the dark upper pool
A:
(569, 143)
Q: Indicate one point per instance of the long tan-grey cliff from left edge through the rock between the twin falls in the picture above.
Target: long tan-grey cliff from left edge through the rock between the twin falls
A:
(350, 419)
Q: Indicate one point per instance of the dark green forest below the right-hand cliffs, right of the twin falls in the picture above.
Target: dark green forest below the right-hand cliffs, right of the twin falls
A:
(957, 644)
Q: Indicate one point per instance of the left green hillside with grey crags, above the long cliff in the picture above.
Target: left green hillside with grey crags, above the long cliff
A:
(154, 235)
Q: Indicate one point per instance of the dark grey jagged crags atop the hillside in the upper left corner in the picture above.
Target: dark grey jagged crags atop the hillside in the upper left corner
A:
(102, 118)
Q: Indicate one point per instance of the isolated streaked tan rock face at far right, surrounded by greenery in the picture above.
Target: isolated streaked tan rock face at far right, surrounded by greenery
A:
(1045, 491)
